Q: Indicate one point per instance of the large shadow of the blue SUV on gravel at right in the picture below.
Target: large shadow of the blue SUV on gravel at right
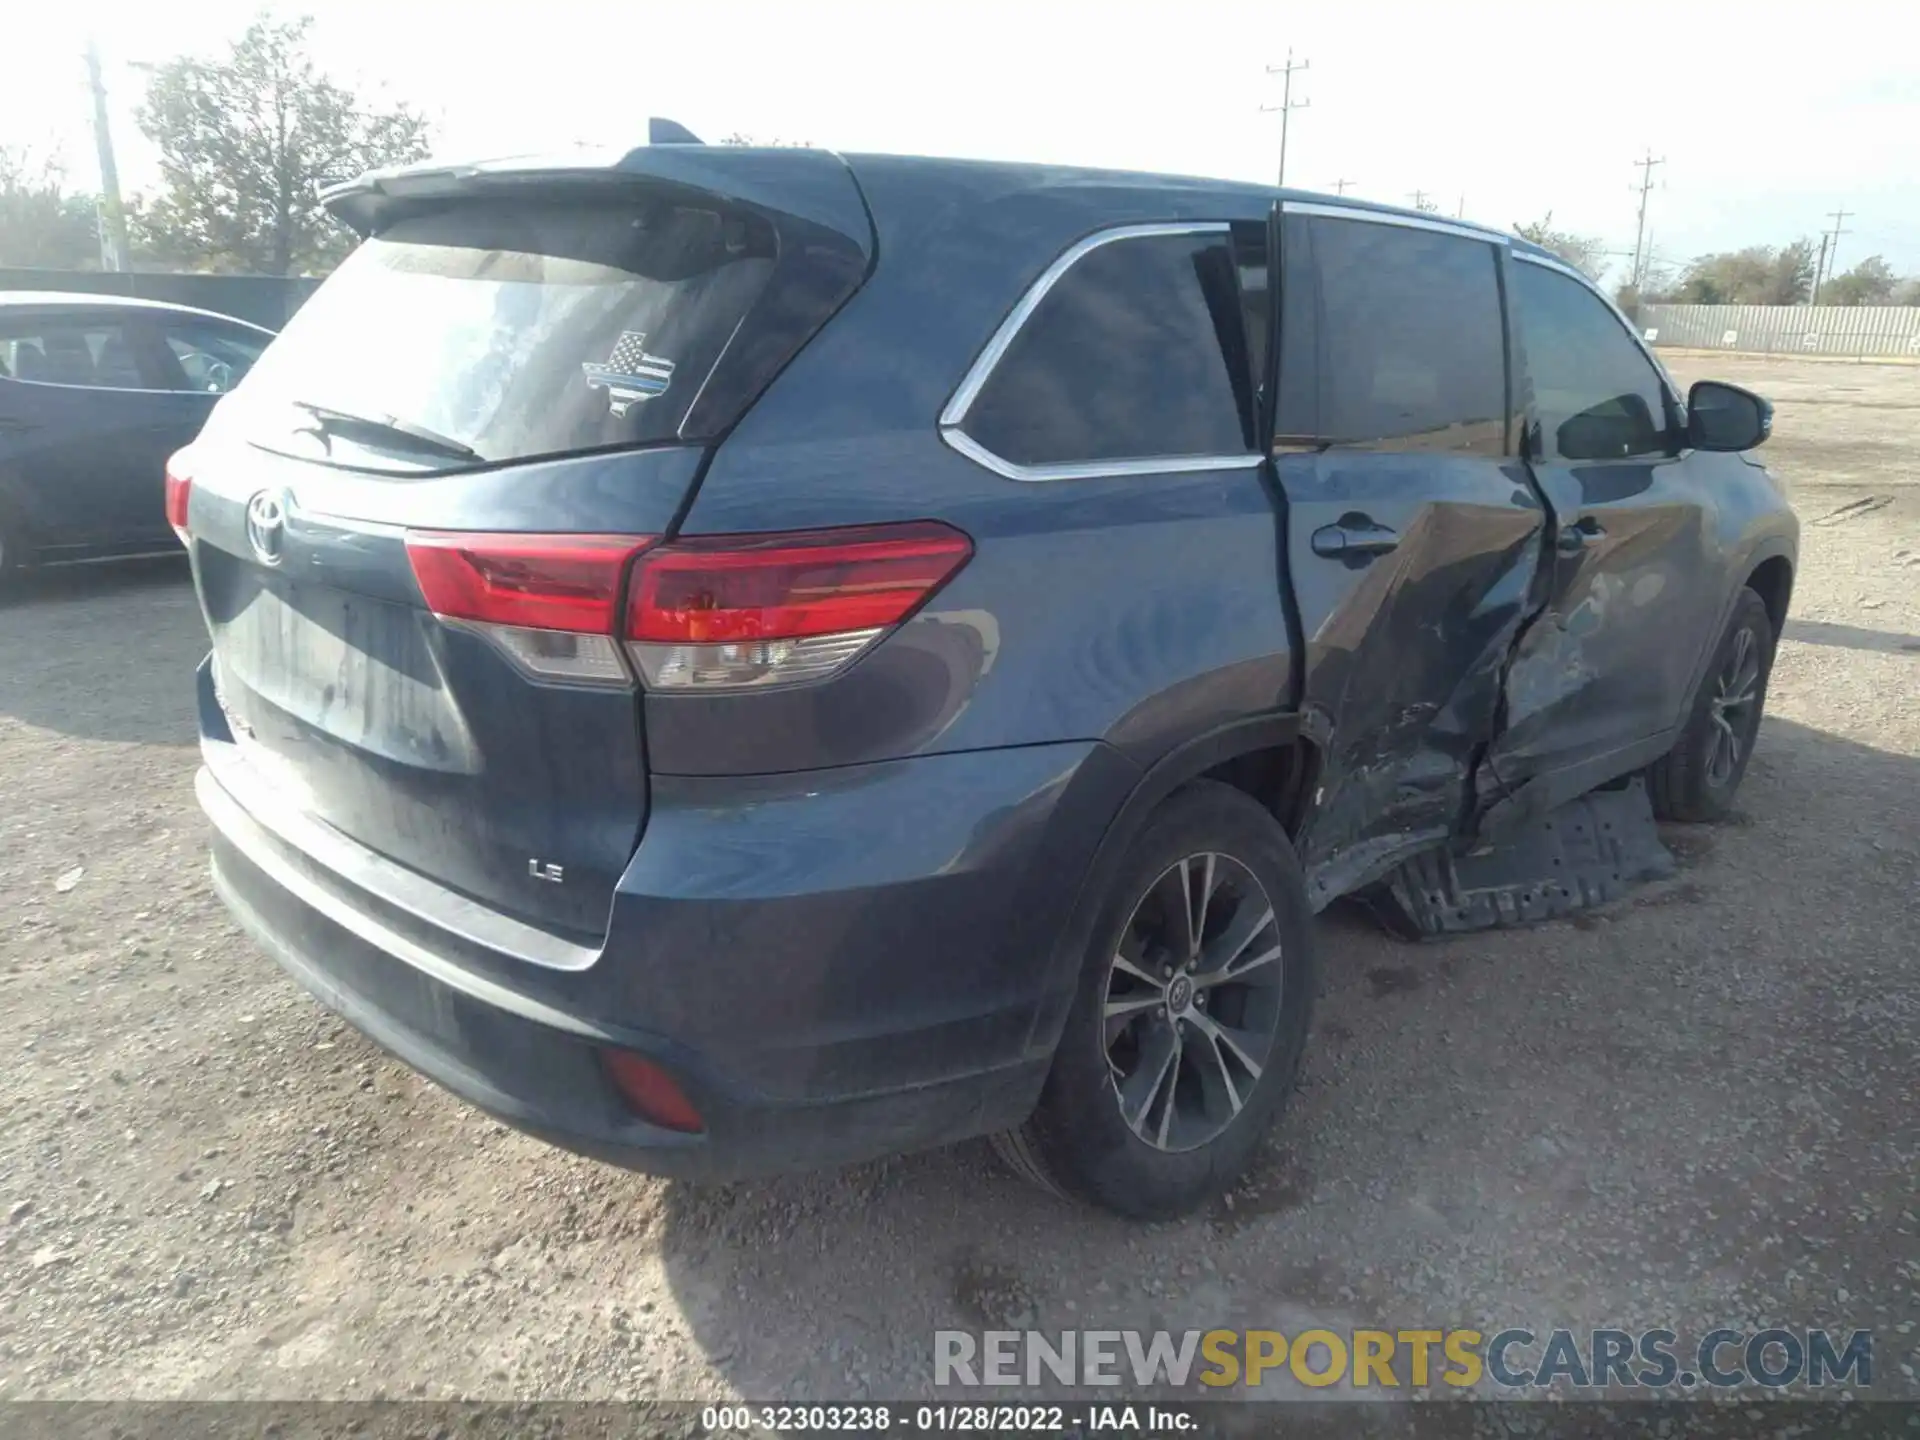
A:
(1483, 1128)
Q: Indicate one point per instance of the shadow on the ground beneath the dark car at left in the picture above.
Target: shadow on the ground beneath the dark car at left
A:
(103, 652)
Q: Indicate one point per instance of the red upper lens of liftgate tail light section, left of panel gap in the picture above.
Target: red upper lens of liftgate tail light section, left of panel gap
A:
(539, 583)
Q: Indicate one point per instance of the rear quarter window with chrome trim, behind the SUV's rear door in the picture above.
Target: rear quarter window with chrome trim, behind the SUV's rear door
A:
(1124, 358)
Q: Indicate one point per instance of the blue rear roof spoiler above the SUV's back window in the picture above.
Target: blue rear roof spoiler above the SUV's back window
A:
(811, 185)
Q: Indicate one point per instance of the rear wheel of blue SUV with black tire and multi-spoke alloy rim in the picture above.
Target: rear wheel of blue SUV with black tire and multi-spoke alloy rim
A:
(1168, 1159)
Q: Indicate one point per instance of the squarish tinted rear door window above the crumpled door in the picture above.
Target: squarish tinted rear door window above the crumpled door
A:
(1393, 341)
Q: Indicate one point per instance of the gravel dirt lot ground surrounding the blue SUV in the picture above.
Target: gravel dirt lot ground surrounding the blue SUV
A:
(1694, 1111)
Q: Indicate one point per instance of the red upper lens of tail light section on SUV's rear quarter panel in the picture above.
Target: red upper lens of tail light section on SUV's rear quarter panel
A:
(715, 588)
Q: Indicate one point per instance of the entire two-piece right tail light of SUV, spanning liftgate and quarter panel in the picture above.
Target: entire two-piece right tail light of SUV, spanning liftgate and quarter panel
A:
(706, 613)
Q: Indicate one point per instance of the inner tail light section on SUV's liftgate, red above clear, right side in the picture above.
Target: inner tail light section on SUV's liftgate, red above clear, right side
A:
(548, 602)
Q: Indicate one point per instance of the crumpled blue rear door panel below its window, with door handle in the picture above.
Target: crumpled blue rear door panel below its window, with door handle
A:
(1404, 648)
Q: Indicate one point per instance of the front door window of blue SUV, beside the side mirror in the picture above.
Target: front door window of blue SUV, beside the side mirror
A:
(1596, 396)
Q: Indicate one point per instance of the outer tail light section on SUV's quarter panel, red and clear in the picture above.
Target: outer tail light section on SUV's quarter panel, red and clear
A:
(748, 612)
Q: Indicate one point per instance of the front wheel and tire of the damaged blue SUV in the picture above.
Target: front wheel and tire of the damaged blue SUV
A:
(1698, 779)
